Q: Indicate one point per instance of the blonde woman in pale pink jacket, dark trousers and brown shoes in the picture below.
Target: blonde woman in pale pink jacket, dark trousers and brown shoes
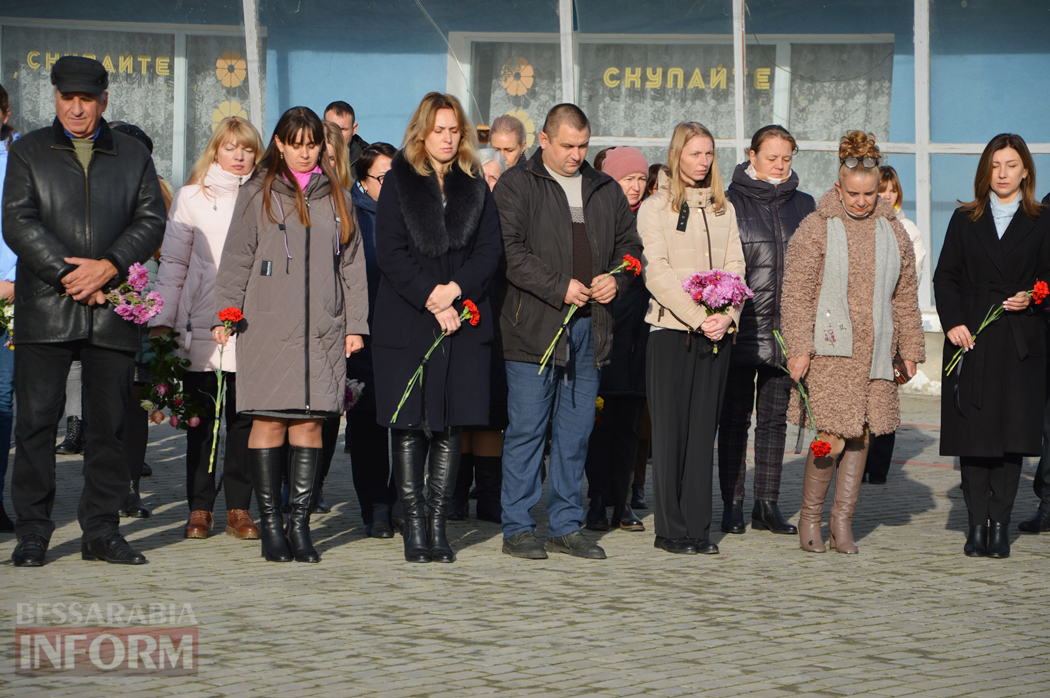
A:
(198, 225)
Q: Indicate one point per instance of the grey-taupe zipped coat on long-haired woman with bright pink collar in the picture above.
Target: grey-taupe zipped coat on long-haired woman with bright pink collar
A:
(301, 293)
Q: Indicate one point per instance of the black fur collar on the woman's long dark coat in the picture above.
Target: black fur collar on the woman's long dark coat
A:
(433, 230)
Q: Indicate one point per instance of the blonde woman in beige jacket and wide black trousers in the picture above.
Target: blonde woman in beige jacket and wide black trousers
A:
(687, 227)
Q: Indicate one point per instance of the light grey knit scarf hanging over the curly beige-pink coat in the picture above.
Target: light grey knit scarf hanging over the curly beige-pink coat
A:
(833, 331)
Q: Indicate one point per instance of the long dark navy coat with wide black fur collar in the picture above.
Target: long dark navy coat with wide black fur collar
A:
(421, 246)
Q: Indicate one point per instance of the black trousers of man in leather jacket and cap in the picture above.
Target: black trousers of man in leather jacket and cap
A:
(40, 377)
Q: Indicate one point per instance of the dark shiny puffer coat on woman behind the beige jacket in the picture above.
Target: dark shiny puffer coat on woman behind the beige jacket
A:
(767, 217)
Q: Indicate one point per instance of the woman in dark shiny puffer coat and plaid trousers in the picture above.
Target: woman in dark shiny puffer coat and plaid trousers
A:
(769, 208)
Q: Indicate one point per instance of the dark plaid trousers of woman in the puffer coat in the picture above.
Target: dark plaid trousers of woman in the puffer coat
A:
(773, 388)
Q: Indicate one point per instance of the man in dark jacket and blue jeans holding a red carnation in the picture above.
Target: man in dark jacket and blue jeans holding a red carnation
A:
(564, 226)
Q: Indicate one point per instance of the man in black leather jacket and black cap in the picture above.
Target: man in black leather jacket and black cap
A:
(81, 204)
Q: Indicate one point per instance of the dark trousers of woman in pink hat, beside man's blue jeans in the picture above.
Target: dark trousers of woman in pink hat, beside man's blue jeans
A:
(613, 450)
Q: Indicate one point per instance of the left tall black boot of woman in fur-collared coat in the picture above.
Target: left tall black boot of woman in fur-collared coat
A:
(409, 456)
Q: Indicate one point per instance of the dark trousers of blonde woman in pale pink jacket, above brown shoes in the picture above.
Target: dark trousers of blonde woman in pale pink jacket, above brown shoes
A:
(201, 491)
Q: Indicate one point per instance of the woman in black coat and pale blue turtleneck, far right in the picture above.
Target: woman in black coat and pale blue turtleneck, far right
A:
(997, 248)
